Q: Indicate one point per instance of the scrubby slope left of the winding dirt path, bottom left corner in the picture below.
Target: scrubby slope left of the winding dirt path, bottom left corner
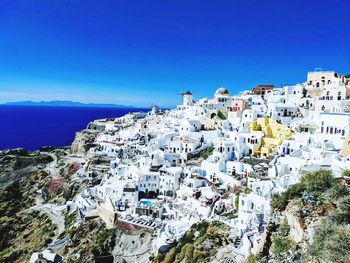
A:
(22, 230)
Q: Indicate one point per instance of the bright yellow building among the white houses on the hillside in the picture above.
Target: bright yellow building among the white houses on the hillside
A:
(272, 135)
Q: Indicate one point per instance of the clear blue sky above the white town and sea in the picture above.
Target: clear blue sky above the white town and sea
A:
(144, 52)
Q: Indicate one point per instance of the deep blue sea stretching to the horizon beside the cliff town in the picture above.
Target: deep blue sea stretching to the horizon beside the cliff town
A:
(31, 127)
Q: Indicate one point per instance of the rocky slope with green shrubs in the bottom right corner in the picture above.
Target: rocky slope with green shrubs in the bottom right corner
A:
(322, 210)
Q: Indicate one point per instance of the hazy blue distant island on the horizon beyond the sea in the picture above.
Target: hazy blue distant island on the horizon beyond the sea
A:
(60, 103)
